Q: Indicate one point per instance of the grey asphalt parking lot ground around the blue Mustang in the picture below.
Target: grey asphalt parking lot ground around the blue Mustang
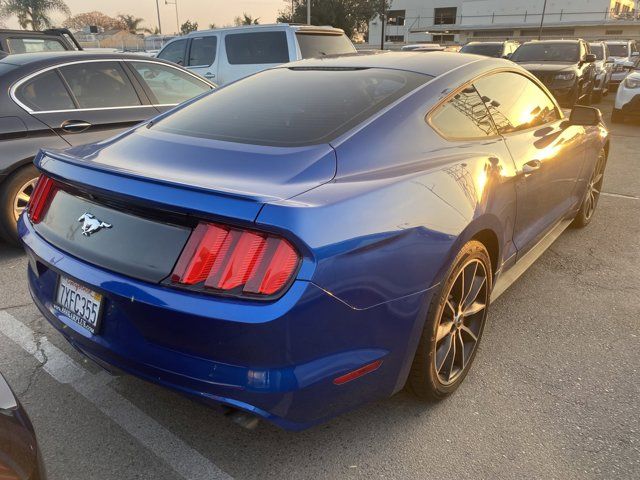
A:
(554, 392)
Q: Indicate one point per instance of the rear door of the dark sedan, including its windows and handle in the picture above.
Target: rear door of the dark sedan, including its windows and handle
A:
(87, 101)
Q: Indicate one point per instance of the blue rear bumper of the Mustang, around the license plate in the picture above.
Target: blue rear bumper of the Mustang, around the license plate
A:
(276, 360)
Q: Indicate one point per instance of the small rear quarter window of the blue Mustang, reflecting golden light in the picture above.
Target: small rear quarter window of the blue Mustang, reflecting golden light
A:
(463, 116)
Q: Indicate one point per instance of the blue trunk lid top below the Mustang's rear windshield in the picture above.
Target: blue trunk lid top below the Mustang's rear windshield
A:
(258, 173)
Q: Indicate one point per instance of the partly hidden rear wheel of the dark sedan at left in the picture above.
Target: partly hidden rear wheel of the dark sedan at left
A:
(14, 193)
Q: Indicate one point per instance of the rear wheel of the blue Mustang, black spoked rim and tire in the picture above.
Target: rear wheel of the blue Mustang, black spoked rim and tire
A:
(437, 372)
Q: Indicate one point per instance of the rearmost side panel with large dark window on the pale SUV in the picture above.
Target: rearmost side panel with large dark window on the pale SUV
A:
(249, 52)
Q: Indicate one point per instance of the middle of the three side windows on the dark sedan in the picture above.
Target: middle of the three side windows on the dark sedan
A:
(100, 85)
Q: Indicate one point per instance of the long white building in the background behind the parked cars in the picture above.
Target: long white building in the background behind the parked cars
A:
(459, 21)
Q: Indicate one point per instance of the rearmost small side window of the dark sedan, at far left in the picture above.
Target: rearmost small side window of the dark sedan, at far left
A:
(45, 92)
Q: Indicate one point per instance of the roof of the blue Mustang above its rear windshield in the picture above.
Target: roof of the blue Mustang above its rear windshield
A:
(434, 64)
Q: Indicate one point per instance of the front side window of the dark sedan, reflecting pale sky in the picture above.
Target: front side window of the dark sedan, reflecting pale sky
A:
(169, 85)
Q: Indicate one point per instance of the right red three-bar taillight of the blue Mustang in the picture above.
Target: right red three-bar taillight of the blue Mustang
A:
(235, 261)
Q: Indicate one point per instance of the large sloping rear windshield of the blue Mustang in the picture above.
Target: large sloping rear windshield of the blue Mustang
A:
(292, 107)
